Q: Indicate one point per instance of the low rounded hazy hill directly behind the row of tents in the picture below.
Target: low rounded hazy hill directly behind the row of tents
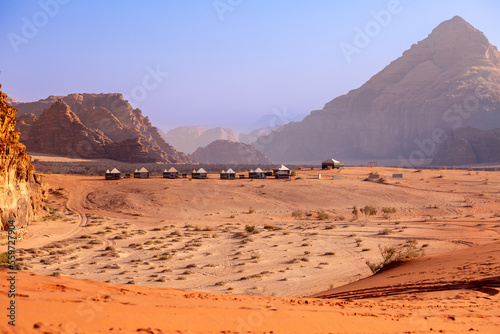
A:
(230, 152)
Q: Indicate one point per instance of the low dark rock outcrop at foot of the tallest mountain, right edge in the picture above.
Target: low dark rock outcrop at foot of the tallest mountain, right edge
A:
(467, 146)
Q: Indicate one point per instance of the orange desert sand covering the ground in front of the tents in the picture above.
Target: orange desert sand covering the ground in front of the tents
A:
(244, 253)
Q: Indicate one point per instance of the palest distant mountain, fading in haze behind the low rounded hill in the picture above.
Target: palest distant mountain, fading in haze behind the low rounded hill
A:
(188, 138)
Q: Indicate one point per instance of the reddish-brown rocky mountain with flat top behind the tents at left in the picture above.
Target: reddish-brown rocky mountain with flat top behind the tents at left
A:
(93, 126)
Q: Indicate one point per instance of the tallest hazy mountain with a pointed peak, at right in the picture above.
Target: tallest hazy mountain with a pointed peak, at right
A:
(449, 80)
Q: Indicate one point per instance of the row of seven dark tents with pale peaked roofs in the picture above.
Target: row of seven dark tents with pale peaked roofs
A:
(172, 173)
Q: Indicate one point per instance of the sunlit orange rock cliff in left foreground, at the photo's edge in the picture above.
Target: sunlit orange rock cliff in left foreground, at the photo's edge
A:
(22, 191)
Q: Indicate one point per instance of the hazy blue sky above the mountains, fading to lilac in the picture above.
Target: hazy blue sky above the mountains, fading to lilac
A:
(215, 62)
